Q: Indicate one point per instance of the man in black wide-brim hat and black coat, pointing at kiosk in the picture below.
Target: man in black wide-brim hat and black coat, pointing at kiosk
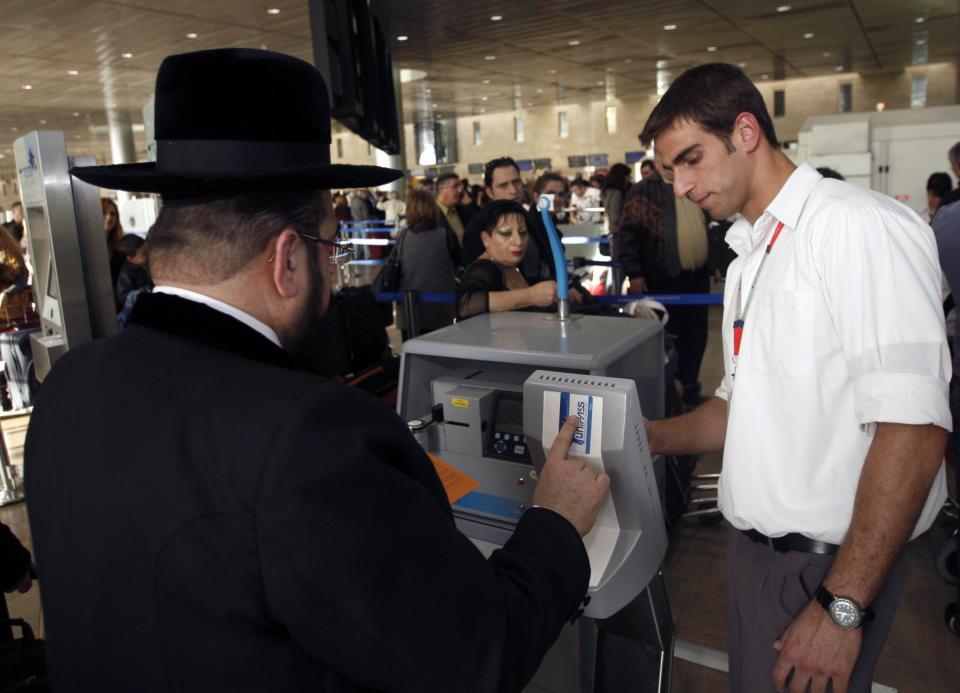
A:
(210, 516)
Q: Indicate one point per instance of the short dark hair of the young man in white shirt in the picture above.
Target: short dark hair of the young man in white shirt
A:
(711, 96)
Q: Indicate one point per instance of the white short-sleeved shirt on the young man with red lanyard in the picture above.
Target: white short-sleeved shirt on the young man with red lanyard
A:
(846, 330)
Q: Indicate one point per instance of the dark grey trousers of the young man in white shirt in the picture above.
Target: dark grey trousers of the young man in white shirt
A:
(766, 590)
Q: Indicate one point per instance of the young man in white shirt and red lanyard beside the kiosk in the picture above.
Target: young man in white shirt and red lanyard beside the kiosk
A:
(833, 411)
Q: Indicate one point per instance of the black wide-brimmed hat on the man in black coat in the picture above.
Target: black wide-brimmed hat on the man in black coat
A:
(235, 120)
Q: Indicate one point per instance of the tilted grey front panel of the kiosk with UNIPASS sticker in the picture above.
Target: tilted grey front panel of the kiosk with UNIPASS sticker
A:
(629, 540)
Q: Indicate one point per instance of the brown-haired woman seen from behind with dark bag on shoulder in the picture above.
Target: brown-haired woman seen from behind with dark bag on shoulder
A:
(430, 260)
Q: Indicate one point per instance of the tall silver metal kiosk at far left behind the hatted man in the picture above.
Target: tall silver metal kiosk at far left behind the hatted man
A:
(63, 223)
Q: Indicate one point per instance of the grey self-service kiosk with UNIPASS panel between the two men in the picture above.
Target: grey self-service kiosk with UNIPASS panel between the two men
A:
(497, 387)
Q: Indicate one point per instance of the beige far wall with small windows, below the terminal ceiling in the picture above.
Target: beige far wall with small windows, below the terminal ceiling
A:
(588, 135)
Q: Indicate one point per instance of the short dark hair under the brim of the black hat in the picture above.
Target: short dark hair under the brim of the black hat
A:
(209, 241)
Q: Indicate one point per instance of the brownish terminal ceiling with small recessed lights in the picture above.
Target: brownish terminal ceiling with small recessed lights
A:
(64, 63)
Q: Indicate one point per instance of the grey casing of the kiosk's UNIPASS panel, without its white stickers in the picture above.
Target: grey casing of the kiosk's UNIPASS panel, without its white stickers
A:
(641, 541)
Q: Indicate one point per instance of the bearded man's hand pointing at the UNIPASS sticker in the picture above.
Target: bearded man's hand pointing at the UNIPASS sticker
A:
(568, 486)
